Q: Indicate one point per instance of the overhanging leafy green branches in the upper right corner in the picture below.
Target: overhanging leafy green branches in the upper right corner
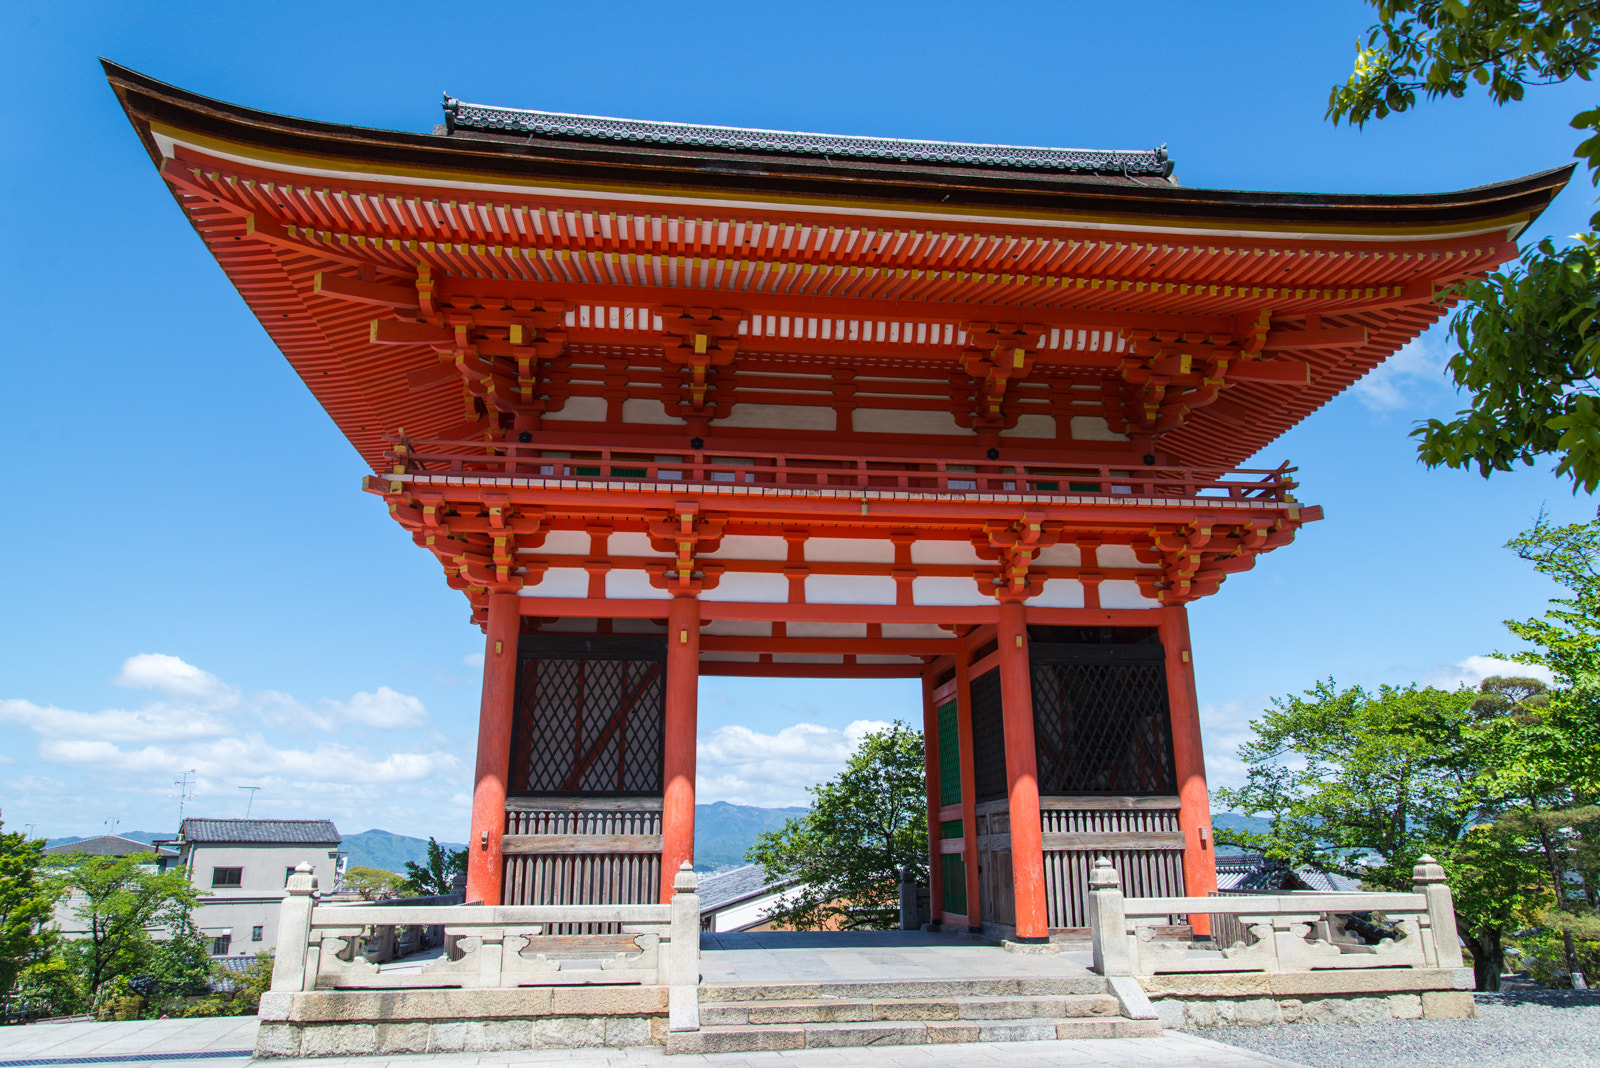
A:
(1530, 357)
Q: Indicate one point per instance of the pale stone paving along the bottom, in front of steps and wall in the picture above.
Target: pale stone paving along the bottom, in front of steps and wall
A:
(177, 1043)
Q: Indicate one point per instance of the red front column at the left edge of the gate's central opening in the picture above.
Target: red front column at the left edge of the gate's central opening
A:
(678, 762)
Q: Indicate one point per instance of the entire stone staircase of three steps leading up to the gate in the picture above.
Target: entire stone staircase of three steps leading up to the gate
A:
(746, 1018)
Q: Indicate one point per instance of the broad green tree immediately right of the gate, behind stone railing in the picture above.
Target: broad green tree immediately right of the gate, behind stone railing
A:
(1366, 783)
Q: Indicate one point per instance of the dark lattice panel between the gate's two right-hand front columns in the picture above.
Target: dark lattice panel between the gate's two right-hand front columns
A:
(1102, 722)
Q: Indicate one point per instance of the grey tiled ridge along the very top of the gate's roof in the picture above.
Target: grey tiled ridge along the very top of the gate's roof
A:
(486, 118)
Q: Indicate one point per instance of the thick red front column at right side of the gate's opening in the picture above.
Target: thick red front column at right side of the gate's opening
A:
(1022, 763)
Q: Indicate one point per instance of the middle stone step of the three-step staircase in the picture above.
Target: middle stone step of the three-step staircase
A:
(905, 1010)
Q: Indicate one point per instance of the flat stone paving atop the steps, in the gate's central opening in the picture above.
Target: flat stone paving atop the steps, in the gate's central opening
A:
(806, 957)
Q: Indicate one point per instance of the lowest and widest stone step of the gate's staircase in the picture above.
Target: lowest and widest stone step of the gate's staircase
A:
(756, 1038)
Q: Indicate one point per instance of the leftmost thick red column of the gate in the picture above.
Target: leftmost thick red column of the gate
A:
(486, 871)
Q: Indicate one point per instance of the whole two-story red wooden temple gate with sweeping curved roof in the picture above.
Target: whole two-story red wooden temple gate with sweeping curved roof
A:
(678, 400)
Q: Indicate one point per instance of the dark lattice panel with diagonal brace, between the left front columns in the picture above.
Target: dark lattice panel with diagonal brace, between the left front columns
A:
(588, 725)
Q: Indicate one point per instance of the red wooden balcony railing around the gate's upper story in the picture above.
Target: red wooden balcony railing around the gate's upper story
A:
(812, 472)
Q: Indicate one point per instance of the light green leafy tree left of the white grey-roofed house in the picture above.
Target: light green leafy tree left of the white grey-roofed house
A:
(122, 906)
